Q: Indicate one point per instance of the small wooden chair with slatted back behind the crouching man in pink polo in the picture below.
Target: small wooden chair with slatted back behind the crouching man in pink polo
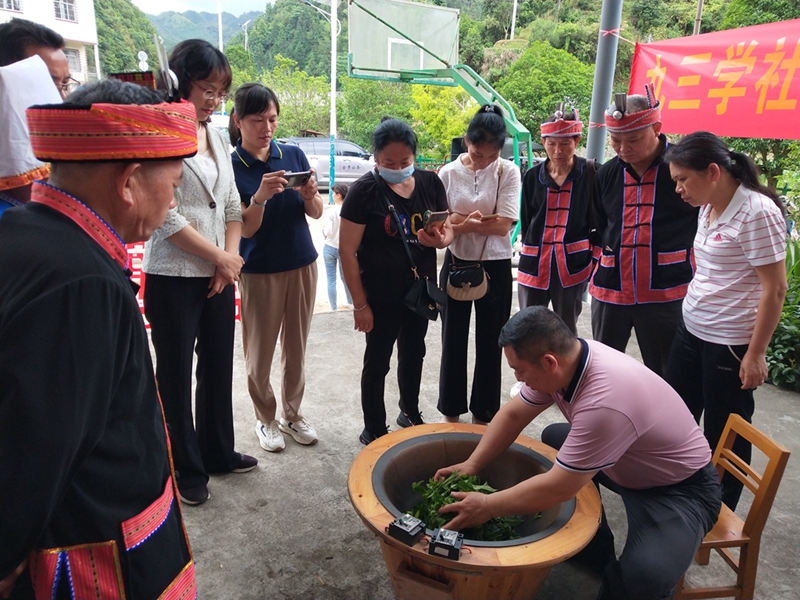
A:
(730, 531)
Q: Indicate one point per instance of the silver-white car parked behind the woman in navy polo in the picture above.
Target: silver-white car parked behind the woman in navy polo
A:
(351, 161)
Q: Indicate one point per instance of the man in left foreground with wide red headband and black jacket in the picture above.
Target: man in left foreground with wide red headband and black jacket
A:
(87, 497)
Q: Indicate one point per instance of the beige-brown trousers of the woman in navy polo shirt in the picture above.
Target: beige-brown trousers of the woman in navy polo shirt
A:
(273, 304)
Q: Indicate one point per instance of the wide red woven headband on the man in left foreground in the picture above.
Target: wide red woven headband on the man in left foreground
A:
(107, 132)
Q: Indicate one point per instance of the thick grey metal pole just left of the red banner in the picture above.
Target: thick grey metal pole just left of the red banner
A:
(607, 42)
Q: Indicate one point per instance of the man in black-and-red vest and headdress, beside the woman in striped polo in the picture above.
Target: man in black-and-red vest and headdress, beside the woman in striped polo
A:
(645, 257)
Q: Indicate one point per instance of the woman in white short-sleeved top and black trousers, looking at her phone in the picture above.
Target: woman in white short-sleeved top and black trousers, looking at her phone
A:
(483, 198)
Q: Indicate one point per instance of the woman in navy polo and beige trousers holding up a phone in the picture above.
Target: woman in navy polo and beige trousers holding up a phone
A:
(279, 278)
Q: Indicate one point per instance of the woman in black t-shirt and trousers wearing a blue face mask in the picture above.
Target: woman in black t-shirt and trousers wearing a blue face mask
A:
(378, 273)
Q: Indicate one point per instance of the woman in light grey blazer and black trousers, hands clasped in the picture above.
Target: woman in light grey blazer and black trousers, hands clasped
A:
(191, 264)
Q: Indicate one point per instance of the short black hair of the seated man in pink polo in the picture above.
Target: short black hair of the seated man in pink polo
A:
(535, 331)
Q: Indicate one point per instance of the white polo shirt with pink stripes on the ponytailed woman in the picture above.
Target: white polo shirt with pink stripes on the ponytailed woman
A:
(722, 299)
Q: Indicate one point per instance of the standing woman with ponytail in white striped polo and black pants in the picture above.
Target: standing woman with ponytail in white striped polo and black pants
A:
(734, 302)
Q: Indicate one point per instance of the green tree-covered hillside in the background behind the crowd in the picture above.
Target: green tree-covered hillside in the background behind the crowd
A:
(551, 58)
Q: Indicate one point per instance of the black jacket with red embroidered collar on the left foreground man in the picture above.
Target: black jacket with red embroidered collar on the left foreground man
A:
(86, 488)
